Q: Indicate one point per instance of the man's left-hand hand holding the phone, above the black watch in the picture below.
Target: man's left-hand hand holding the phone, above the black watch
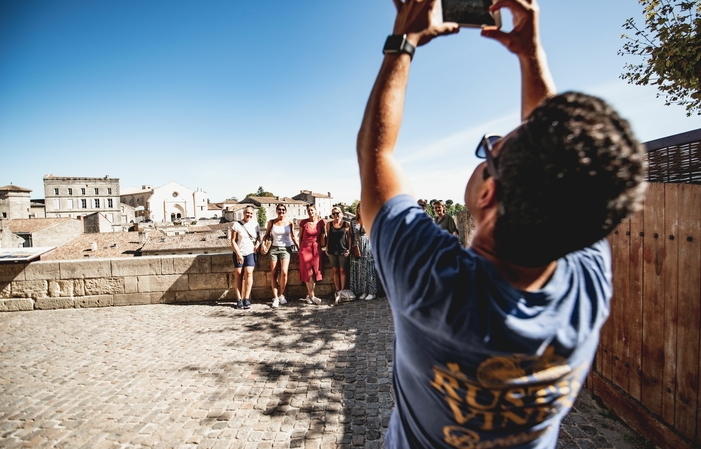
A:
(420, 20)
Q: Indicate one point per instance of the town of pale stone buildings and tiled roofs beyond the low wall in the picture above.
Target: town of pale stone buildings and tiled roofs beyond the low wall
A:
(94, 217)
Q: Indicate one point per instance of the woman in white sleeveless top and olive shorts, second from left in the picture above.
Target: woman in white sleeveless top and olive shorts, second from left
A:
(281, 231)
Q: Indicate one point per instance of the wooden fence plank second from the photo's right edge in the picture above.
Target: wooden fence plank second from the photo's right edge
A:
(670, 279)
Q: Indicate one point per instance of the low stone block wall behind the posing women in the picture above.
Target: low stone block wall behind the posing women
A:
(139, 280)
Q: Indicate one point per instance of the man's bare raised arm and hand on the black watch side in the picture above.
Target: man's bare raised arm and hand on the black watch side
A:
(381, 176)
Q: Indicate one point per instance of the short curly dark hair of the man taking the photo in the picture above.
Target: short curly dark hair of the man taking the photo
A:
(569, 175)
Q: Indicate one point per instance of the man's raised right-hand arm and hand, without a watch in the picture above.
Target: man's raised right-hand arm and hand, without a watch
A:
(524, 41)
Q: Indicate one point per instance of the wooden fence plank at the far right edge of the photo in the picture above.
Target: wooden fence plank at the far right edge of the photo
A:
(687, 416)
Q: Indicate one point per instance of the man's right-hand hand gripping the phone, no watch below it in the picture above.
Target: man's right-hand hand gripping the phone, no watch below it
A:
(523, 40)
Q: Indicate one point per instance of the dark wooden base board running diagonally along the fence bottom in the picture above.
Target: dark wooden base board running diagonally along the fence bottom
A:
(637, 418)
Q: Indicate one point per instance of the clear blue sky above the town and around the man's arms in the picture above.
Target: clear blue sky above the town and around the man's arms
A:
(231, 95)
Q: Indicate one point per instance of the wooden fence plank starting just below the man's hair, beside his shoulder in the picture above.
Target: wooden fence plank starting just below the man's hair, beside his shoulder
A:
(620, 252)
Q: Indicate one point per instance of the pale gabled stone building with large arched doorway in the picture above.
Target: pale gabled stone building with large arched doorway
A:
(170, 202)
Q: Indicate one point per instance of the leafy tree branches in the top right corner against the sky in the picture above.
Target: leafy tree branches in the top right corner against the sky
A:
(670, 45)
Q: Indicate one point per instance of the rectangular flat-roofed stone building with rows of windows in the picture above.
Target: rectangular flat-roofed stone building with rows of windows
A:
(77, 196)
